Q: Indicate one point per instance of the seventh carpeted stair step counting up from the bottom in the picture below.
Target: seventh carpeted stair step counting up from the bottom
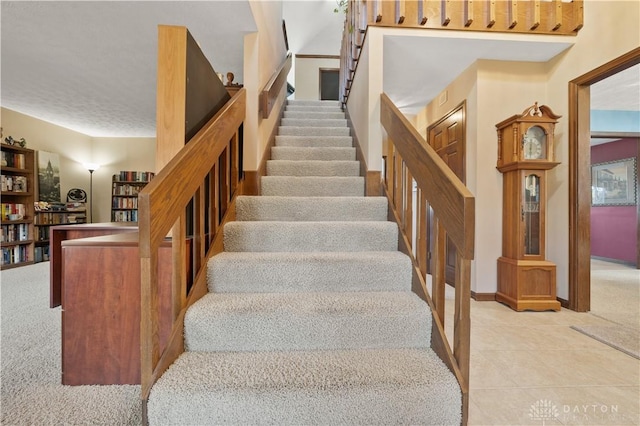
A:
(313, 168)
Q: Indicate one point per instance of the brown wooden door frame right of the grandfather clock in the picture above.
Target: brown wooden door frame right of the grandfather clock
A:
(580, 178)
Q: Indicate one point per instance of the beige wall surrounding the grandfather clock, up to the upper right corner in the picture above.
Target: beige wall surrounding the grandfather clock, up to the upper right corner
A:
(495, 90)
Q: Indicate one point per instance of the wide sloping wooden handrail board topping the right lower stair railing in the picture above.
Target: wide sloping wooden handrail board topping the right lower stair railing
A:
(453, 201)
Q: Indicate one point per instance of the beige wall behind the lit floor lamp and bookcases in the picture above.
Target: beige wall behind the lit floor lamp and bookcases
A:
(75, 149)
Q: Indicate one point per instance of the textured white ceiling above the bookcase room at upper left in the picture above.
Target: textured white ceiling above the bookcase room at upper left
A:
(91, 66)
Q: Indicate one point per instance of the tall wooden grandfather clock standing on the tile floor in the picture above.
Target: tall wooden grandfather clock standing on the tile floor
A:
(526, 280)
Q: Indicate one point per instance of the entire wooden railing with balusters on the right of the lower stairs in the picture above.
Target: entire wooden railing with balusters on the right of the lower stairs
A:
(409, 159)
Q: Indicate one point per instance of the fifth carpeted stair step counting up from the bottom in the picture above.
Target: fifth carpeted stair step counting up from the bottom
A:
(250, 208)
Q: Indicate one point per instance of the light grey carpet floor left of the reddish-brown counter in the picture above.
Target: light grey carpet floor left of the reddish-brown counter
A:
(30, 363)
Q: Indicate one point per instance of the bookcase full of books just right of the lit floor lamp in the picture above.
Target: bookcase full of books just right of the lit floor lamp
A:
(125, 188)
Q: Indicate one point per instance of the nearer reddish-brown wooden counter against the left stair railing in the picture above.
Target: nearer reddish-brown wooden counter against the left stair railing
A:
(101, 307)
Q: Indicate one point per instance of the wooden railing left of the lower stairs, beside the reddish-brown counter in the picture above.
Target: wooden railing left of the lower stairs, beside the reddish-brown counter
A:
(162, 205)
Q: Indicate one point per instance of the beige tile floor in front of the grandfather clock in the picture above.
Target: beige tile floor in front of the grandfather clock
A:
(531, 368)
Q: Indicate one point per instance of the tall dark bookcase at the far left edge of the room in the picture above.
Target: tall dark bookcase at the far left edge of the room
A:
(18, 189)
